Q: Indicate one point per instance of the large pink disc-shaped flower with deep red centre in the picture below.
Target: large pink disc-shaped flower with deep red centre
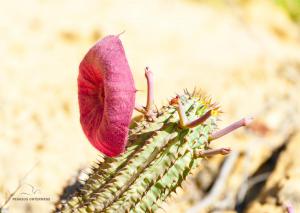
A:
(106, 95)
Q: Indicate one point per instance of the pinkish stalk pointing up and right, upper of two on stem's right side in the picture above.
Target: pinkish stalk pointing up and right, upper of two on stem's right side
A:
(230, 128)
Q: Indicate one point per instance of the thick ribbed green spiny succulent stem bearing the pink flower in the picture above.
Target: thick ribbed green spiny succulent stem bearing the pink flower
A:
(157, 160)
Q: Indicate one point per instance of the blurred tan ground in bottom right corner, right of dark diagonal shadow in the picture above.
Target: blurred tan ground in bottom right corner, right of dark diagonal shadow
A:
(282, 188)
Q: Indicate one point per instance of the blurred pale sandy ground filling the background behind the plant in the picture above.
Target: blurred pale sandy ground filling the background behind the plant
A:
(245, 54)
